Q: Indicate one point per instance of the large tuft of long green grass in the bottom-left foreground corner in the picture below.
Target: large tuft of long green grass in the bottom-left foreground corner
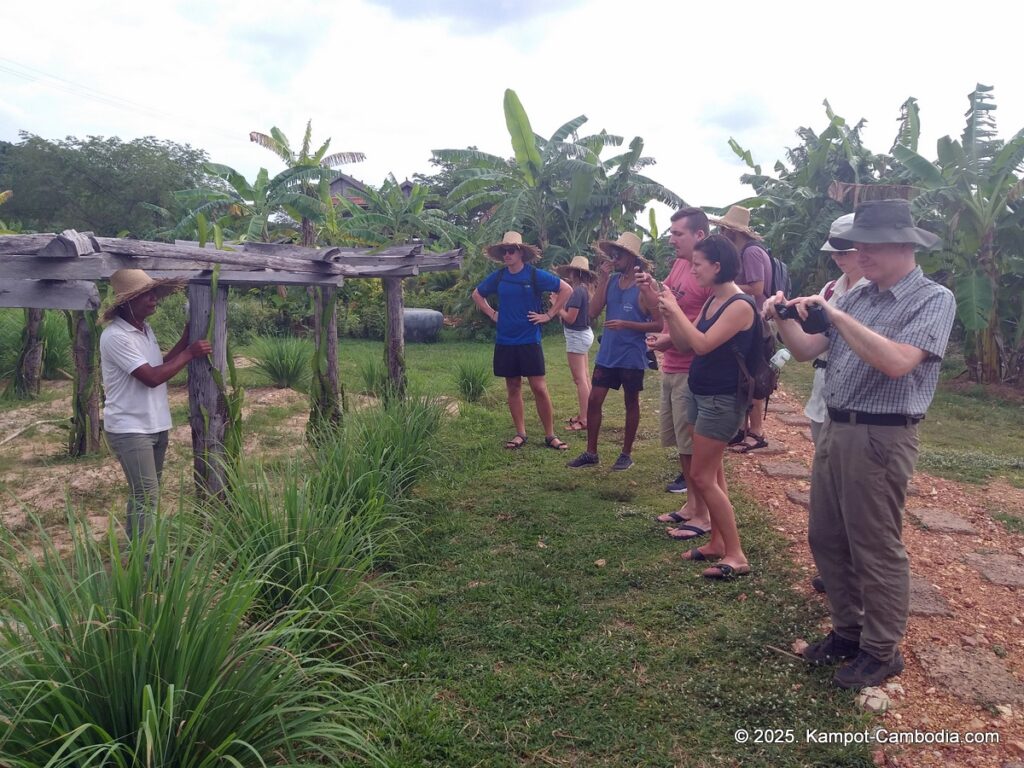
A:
(108, 660)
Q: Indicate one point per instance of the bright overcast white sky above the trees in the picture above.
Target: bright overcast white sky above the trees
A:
(396, 79)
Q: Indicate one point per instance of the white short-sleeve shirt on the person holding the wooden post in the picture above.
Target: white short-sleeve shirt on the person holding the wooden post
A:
(132, 406)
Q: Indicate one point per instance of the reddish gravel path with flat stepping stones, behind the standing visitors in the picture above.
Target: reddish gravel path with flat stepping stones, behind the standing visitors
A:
(965, 644)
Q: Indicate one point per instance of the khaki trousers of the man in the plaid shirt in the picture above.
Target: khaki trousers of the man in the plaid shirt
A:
(859, 489)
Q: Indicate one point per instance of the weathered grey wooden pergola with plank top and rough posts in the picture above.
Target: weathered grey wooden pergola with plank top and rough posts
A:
(60, 272)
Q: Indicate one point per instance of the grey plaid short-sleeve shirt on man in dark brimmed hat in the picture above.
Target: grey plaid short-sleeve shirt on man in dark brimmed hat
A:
(917, 312)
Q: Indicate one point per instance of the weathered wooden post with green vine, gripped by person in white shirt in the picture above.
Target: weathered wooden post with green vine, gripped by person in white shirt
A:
(207, 407)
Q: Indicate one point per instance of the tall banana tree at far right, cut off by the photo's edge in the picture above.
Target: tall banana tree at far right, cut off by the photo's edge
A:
(973, 196)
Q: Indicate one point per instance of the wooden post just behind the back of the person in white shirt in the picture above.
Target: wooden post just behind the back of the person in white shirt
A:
(84, 436)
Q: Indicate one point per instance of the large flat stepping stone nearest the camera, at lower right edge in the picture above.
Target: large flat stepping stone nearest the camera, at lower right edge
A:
(978, 676)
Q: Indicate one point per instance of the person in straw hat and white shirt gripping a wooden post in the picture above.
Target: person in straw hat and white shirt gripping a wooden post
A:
(137, 414)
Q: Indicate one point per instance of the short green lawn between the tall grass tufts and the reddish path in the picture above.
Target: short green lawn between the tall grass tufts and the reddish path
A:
(527, 653)
